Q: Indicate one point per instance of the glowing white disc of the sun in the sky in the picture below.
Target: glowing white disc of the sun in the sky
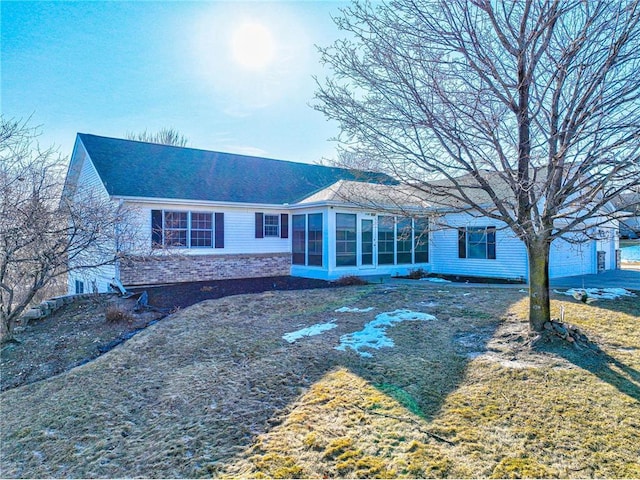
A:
(252, 46)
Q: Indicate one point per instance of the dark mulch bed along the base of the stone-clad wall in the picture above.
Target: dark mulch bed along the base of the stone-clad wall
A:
(182, 295)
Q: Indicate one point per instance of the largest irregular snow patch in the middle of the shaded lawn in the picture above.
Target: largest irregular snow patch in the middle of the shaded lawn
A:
(373, 335)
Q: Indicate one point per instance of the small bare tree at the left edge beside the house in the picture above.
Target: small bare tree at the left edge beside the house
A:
(43, 237)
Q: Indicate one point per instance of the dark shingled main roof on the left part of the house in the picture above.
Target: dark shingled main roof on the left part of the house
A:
(131, 168)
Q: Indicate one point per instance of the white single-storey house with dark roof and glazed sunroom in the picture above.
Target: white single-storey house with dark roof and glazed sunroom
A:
(203, 215)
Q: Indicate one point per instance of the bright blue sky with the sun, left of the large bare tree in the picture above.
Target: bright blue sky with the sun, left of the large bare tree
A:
(230, 76)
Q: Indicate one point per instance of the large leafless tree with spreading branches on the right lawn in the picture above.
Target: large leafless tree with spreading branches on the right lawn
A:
(526, 112)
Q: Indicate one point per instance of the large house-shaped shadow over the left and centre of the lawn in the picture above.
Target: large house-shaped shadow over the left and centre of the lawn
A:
(204, 384)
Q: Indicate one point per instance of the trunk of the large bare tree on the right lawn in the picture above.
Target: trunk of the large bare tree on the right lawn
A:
(539, 304)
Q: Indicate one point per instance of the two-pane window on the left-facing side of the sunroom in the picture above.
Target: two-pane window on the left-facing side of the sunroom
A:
(307, 237)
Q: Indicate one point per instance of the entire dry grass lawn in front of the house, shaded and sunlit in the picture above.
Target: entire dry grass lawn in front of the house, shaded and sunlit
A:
(214, 390)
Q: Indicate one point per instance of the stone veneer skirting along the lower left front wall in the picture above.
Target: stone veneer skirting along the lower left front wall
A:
(197, 268)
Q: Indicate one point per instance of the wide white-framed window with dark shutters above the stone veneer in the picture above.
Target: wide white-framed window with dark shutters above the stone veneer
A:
(187, 229)
